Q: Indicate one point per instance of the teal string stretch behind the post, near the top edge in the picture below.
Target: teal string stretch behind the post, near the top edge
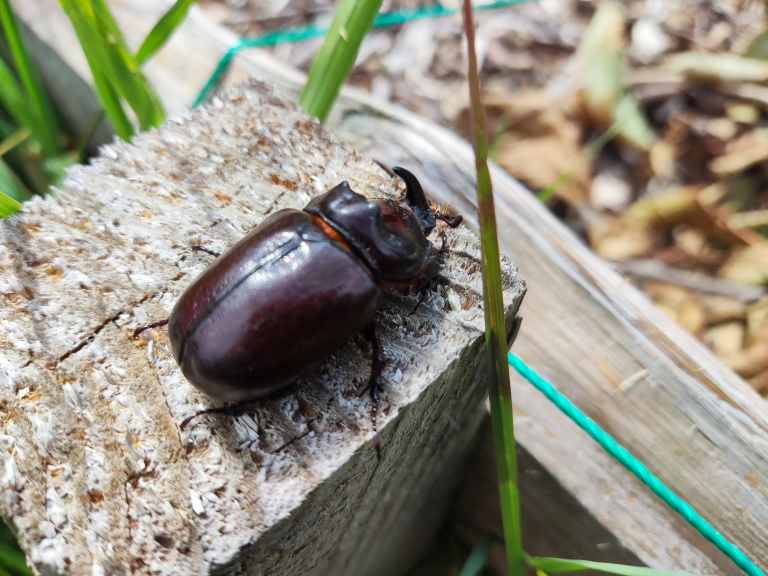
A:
(303, 32)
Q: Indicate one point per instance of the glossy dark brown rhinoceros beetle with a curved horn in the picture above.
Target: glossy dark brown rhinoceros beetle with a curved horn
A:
(296, 288)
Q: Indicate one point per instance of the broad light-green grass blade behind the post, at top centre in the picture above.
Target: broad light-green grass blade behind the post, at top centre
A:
(332, 65)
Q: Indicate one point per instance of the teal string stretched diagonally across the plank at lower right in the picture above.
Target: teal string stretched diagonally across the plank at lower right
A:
(635, 466)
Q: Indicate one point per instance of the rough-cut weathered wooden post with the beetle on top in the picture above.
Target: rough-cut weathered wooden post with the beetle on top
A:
(98, 477)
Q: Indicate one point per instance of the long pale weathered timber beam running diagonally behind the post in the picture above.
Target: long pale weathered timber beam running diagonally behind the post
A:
(664, 396)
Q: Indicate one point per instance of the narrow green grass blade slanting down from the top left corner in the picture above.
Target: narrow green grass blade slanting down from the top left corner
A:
(45, 125)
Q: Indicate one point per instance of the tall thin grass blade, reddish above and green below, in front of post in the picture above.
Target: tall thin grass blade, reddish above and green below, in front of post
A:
(499, 390)
